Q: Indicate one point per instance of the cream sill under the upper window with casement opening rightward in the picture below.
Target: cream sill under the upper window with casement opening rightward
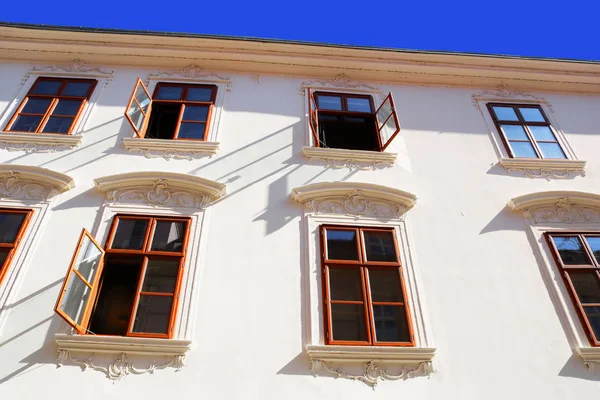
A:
(358, 159)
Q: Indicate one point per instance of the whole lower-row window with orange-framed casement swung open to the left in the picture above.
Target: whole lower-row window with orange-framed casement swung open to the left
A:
(131, 288)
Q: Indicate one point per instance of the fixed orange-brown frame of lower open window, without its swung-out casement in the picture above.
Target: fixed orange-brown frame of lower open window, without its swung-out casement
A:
(148, 254)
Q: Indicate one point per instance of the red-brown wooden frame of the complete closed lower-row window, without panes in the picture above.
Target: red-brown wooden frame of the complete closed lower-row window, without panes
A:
(364, 266)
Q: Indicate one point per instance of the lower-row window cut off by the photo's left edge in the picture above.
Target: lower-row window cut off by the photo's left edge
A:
(12, 227)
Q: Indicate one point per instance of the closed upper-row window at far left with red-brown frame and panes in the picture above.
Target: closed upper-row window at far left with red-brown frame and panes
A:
(52, 105)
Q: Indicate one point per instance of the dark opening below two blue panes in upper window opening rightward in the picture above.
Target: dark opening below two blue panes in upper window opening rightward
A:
(348, 132)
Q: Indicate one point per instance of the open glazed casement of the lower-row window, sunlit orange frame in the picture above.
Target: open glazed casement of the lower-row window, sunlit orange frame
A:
(81, 283)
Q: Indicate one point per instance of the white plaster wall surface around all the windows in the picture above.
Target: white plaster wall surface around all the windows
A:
(496, 329)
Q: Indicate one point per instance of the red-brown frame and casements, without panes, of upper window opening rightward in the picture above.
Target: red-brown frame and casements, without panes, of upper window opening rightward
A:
(379, 124)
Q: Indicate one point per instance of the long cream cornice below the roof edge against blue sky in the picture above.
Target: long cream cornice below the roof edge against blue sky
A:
(322, 62)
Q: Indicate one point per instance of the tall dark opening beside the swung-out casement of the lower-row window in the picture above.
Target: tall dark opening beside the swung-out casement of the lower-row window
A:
(118, 285)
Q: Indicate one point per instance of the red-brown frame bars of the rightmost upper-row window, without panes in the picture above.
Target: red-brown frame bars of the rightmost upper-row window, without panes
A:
(524, 124)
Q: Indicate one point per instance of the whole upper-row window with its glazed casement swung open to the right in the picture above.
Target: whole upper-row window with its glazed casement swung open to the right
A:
(350, 121)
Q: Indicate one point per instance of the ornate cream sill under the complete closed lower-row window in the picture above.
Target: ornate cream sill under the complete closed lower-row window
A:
(408, 361)
